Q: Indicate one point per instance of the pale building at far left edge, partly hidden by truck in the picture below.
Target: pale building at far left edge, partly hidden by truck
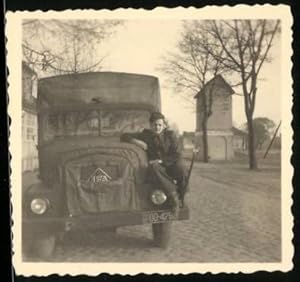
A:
(29, 119)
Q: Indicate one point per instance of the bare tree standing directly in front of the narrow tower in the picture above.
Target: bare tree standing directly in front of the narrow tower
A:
(190, 68)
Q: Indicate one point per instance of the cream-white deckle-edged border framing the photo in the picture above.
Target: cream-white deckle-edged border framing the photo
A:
(14, 61)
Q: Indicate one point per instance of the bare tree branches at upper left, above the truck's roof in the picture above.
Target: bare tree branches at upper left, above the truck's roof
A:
(65, 46)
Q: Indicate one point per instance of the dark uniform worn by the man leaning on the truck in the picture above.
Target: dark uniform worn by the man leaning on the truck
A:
(164, 147)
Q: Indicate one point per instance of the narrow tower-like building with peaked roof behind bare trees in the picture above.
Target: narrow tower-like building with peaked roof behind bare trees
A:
(219, 124)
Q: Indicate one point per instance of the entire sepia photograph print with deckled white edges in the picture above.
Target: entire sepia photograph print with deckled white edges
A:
(151, 137)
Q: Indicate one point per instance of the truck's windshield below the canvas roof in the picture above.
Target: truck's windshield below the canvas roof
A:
(93, 123)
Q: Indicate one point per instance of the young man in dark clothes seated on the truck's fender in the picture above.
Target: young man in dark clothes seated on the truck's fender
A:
(164, 156)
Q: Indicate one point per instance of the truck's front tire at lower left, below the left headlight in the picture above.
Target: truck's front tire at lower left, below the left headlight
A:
(44, 246)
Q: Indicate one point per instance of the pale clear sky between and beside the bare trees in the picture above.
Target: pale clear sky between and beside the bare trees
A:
(138, 47)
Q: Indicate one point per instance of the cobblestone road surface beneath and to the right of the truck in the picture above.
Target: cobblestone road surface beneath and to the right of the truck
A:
(234, 217)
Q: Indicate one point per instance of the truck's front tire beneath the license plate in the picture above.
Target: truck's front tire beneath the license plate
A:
(161, 234)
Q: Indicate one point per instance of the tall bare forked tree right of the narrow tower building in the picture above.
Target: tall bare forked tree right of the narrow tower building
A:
(246, 45)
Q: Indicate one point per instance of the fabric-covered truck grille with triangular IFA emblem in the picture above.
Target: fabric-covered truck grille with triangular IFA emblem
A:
(100, 183)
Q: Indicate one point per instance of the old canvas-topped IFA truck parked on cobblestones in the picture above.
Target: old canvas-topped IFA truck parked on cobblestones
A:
(88, 178)
